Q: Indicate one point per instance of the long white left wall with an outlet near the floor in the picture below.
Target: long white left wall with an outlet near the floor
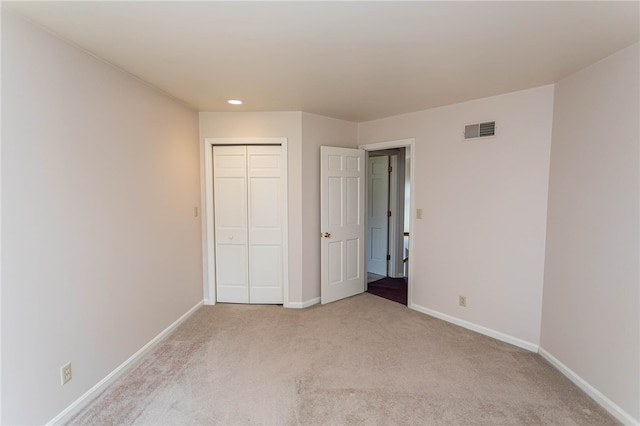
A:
(100, 247)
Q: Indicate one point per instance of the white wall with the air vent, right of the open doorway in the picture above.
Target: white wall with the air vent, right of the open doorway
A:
(484, 210)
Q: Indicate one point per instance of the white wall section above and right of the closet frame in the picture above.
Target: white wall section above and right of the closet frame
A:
(265, 125)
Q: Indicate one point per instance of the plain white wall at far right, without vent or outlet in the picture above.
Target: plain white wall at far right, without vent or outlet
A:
(590, 315)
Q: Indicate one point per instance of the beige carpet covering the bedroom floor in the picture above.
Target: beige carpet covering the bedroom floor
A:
(363, 360)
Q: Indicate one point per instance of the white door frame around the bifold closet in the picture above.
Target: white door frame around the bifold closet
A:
(208, 234)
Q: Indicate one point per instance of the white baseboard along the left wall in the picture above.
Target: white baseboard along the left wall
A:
(85, 399)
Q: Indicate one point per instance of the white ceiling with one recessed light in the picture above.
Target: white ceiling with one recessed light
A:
(356, 61)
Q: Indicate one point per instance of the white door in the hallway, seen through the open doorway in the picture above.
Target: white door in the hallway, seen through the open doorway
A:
(377, 215)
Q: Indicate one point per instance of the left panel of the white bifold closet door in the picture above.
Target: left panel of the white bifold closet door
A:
(230, 198)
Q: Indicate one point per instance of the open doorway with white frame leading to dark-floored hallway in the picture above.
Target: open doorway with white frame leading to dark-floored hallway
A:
(388, 219)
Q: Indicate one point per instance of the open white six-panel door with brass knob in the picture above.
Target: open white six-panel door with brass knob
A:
(342, 222)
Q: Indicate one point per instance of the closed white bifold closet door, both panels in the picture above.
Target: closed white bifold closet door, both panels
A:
(248, 217)
